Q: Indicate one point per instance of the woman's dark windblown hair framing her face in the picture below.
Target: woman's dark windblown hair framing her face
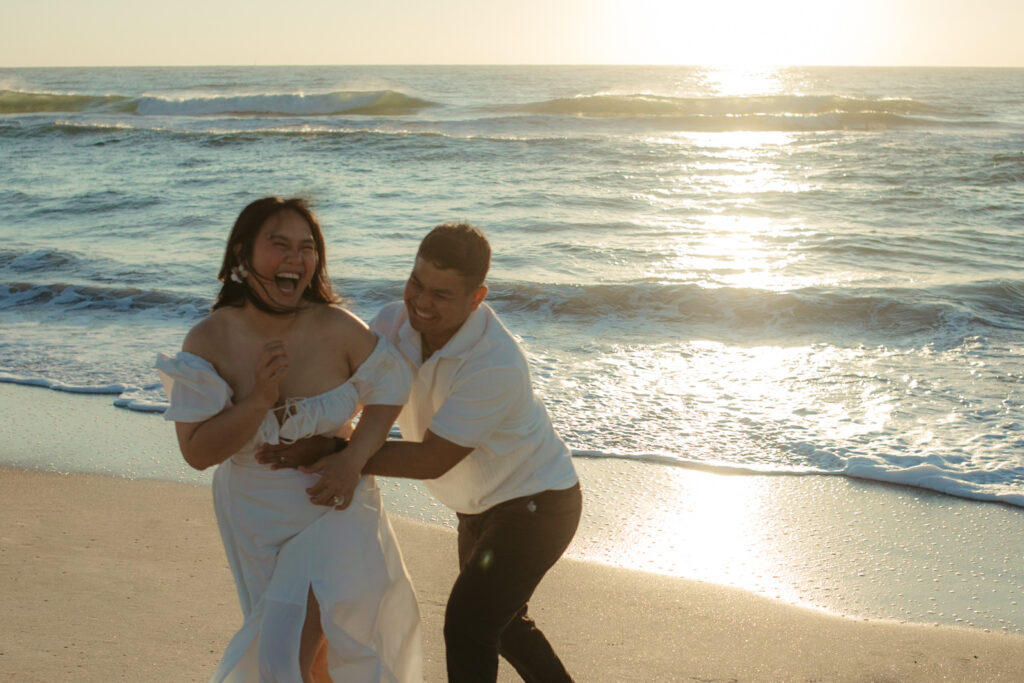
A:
(240, 251)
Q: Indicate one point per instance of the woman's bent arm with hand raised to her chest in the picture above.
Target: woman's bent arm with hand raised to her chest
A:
(215, 441)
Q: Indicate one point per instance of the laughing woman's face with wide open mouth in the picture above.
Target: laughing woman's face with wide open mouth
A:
(284, 260)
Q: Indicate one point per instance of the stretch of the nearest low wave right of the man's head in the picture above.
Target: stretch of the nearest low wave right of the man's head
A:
(739, 312)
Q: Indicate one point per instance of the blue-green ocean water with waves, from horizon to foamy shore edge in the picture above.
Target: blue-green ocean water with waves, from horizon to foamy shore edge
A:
(810, 272)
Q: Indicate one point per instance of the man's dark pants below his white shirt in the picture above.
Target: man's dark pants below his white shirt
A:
(504, 552)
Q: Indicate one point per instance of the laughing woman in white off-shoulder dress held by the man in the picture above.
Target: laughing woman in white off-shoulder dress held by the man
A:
(275, 363)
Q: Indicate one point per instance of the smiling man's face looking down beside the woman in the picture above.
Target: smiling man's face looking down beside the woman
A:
(439, 302)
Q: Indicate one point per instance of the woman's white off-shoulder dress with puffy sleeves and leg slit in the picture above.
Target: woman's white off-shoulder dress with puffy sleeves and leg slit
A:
(280, 545)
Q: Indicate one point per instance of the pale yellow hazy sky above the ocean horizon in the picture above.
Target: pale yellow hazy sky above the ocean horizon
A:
(744, 33)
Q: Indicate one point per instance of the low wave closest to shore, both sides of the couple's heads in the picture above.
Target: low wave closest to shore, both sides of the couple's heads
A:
(961, 311)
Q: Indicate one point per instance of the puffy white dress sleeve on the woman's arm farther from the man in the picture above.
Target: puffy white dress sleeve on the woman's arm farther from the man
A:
(195, 390)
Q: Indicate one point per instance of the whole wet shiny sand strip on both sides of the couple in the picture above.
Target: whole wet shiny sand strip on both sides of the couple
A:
(856, 549)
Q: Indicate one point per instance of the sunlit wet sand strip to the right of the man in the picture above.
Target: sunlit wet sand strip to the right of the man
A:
(828, 543)
